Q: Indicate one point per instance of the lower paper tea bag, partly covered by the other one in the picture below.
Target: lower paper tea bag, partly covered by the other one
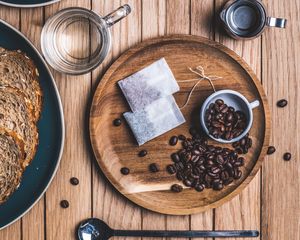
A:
(155, 119)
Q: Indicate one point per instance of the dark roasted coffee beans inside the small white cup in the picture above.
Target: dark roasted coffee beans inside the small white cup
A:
(223, 121)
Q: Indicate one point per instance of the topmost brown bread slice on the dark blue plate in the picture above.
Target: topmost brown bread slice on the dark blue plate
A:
(18, 71)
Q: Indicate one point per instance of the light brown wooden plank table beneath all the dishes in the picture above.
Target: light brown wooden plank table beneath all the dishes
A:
(270, 203)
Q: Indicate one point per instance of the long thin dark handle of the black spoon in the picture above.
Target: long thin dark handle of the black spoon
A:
(189, 234)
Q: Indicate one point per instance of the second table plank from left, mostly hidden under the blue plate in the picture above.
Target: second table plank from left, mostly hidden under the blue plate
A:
(36, 214)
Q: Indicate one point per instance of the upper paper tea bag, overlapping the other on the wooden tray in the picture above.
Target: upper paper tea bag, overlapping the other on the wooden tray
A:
(149, 84)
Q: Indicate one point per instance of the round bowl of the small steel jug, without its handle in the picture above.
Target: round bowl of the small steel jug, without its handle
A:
(245, 18)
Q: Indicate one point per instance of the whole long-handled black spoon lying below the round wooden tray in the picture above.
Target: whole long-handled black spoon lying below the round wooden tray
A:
(96, 229)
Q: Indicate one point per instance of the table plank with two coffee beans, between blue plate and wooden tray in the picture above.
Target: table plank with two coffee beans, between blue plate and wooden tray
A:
(74, 90)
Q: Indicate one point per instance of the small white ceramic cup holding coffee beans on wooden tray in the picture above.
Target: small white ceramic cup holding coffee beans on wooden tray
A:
(233, 99)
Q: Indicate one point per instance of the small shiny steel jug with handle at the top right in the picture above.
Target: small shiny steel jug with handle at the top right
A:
(247, 19)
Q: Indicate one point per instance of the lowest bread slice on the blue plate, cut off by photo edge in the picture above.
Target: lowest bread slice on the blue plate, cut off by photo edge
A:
(11, 158)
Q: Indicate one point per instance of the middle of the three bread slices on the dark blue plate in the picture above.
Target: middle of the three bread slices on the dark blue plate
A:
(16, 115)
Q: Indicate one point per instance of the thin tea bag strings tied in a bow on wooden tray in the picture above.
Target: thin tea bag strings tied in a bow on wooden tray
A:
(200, 72)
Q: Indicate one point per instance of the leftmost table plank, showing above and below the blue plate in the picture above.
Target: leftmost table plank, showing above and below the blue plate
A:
(12, 232)
